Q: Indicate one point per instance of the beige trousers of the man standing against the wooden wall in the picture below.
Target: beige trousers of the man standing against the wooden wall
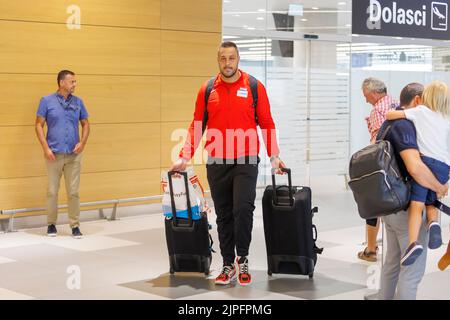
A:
(70, 166)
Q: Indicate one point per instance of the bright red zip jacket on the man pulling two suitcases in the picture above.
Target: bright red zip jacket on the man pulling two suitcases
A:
(231, 128)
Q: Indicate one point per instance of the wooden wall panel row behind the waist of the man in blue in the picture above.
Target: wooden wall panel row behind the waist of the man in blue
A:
(111, 147)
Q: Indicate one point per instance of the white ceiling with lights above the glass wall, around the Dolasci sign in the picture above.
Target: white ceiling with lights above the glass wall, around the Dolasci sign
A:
(330, 18)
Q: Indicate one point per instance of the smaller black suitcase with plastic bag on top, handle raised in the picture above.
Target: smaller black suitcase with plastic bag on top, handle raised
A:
(188, 241)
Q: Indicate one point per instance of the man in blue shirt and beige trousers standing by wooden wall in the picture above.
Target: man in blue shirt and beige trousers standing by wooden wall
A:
(63, 147)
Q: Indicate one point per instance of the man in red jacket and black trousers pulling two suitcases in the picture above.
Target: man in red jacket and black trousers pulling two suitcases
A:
(233, 148)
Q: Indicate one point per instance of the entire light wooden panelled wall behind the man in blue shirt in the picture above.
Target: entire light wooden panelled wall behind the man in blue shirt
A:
(139, 66)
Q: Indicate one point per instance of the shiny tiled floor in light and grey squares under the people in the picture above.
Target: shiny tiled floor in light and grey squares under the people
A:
(127, 259)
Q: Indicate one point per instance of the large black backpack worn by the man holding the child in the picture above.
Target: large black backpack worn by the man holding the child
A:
(378, 186)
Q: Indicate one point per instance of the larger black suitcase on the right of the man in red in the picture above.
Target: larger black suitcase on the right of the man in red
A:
(288, 229)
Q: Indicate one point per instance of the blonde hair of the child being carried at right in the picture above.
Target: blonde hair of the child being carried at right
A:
(436, 96)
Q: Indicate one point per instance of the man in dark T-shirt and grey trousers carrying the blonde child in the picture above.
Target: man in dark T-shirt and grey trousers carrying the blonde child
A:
(396, 281)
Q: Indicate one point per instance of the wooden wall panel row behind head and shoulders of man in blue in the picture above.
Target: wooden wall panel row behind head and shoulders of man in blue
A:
(109, 99)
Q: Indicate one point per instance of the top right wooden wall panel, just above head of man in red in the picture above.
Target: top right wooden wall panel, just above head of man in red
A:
(195, 15)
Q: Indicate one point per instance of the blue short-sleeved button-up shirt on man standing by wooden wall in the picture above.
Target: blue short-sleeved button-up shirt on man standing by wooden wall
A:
(62, 117)
